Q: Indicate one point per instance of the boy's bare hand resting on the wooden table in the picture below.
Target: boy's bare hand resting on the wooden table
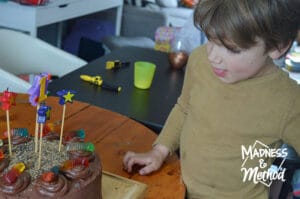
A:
(151, 160)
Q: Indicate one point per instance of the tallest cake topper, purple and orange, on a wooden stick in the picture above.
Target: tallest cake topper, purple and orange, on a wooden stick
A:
(37, 94)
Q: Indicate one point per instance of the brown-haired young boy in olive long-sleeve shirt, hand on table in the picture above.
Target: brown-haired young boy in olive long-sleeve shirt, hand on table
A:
(234, 100)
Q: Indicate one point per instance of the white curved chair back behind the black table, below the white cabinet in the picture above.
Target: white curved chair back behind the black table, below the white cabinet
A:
(23, 54)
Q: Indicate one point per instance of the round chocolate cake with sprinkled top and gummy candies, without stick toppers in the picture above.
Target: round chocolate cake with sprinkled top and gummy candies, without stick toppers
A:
(69, 174)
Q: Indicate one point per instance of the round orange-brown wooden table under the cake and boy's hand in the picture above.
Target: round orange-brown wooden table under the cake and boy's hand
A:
(113, 135)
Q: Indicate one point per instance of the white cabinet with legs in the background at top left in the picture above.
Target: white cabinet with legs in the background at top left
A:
(29, 18)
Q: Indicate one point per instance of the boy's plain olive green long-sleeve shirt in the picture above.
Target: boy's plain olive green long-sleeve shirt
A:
(212, 120)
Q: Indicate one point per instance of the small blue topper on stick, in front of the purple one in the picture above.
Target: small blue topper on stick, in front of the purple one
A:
(43, 114)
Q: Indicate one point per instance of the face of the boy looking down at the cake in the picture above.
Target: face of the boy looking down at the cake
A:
(236, 65)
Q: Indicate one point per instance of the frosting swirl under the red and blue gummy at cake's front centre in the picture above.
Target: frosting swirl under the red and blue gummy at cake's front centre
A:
(54, 189)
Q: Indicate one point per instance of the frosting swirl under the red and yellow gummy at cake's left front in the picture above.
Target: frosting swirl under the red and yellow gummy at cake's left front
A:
(11, 189)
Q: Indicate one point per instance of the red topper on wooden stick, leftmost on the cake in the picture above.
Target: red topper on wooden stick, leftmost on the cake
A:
(8, 100)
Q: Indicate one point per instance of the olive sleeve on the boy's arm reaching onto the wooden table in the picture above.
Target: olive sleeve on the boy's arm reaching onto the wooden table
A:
(171, 131)
